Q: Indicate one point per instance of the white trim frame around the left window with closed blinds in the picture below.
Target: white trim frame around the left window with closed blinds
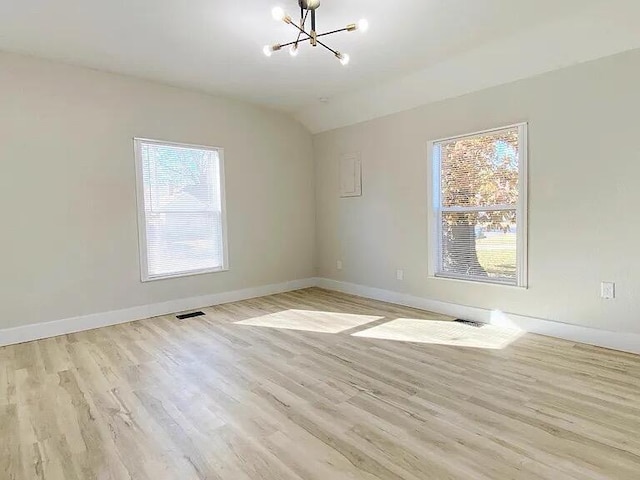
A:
(142, 229)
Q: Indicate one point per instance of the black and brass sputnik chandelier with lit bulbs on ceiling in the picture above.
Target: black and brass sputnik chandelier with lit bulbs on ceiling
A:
(308, 9)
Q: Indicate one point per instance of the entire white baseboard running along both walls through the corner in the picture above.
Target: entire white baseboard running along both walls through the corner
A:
(627, 342)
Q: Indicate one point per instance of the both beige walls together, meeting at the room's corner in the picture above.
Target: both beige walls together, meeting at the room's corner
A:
(67, 189)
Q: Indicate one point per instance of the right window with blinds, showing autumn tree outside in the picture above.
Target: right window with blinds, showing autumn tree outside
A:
(479, 206)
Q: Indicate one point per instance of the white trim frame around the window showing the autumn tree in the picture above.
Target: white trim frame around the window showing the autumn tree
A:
(433, 191)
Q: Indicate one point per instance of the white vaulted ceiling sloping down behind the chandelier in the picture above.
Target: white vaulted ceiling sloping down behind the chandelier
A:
(415, 51)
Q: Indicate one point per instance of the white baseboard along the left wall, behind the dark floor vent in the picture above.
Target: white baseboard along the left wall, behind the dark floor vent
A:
(37, 331)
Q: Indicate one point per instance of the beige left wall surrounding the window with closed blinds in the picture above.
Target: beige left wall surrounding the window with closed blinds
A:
(67, 189)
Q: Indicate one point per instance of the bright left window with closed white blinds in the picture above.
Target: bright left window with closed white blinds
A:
(180, 209)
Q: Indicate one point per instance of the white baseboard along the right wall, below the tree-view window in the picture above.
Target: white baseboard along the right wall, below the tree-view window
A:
(626, 342)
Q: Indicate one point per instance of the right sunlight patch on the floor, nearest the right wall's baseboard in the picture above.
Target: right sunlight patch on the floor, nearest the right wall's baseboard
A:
(443, 333)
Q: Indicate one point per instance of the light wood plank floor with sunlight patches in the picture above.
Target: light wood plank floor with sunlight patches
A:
(281, 388)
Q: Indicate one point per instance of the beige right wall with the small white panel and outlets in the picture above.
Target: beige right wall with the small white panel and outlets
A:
(584, 195)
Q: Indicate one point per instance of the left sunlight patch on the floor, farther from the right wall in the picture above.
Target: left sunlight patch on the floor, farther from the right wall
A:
(310, 321)
